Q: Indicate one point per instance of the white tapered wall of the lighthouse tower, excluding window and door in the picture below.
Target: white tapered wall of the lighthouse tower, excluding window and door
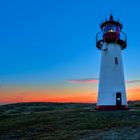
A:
(111, 78)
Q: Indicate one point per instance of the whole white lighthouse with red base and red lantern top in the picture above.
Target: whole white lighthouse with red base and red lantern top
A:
(111, 90)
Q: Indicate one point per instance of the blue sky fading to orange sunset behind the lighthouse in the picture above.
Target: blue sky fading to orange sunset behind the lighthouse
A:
(48, 49)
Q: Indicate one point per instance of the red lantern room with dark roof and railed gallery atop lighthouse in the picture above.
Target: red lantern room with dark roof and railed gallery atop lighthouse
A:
(111, 31)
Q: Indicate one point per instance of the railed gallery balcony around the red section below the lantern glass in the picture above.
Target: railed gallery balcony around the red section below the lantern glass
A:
(111, 37)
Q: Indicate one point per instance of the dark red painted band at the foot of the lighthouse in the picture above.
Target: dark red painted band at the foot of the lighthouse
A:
(111, 107)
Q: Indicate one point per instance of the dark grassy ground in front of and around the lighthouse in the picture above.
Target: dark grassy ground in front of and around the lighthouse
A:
(54, 121)
